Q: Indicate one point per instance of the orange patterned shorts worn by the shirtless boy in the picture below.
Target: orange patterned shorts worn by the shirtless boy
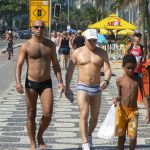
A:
(126, 120)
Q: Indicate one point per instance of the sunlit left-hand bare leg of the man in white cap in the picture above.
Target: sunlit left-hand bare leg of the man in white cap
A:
(83, 102)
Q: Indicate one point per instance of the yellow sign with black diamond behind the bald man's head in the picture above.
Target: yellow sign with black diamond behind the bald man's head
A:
(39, 10)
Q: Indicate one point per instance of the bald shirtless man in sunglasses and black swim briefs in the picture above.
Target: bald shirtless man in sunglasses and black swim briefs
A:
(38, 53)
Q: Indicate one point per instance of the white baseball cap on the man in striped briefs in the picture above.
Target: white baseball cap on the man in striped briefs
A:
(91, 34)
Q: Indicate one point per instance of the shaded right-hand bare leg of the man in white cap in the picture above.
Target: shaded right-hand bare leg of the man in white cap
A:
(95, 103)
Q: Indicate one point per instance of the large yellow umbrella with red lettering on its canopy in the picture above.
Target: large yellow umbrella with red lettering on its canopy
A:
(113, 22)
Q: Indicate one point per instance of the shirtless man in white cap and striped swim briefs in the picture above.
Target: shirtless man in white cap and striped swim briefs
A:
(89, 60)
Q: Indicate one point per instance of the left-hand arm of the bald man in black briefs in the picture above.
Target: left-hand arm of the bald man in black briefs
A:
(19, 64)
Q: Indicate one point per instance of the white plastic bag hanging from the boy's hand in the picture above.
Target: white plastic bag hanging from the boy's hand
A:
(107, 129)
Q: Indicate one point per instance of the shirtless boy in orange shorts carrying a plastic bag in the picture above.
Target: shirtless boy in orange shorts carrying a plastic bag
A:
(127, 111)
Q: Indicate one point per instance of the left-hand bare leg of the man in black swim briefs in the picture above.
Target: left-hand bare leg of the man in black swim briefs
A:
(31, 100)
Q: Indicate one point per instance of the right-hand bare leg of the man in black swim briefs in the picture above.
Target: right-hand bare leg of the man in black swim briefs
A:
(47, 107)
